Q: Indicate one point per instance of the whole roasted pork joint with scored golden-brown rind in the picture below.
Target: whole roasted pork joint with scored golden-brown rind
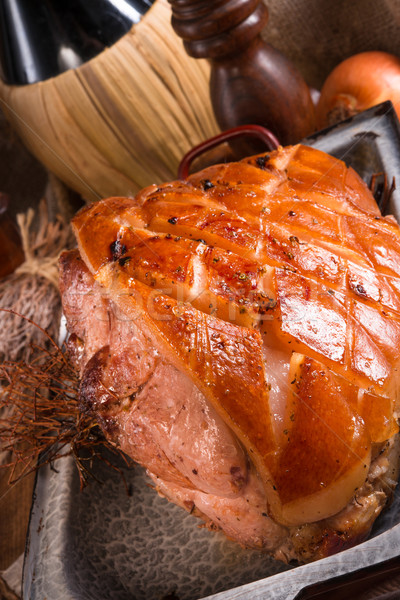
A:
(238, 335)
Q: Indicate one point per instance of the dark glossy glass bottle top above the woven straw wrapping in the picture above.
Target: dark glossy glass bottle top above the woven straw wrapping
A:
(39, 40)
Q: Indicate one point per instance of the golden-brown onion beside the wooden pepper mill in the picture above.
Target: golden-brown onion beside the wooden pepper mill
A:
(357, 83)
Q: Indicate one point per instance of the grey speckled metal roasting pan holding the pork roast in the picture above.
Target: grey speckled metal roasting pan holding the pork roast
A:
(117, 542)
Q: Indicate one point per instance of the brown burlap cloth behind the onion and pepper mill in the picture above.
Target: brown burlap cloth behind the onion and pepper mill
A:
(317, 34)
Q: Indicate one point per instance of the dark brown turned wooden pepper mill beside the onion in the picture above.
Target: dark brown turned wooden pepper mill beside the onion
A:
(251, 82)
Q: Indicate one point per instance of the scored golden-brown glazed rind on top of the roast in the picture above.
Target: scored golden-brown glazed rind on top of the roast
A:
(281, 254)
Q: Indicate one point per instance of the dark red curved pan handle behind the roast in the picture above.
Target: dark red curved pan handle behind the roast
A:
(256, 131)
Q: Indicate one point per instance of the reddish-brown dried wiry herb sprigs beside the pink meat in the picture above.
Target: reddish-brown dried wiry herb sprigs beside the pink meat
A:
(40, 418)
